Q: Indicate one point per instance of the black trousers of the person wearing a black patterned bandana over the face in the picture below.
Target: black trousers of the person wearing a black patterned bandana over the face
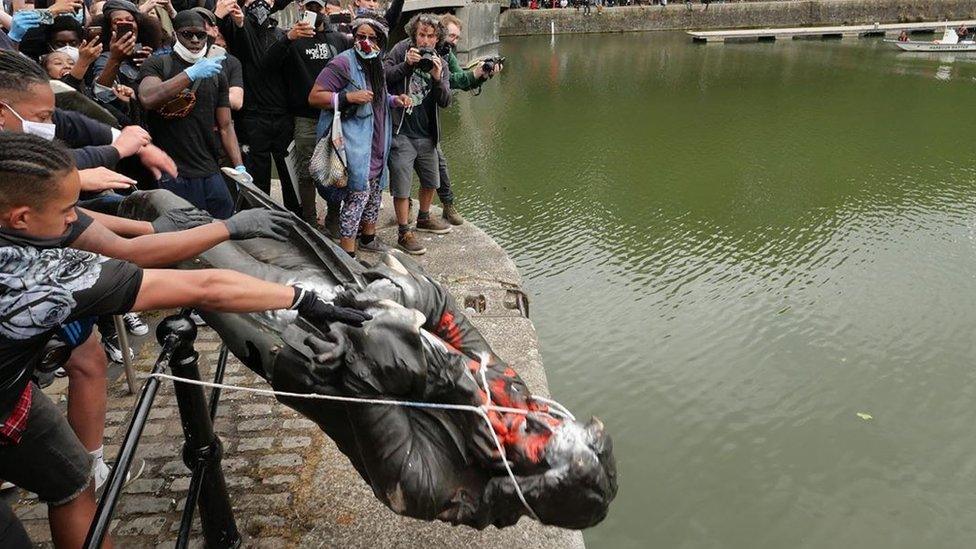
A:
(264, 138)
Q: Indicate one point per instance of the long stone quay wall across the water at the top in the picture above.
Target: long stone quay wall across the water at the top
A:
(735, 15)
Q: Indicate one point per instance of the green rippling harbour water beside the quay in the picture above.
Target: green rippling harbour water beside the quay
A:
(732, 251)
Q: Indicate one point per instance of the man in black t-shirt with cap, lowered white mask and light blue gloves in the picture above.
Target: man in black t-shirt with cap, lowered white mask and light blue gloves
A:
(186, 96)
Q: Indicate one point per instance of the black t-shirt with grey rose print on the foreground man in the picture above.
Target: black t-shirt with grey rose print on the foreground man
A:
(42, 288)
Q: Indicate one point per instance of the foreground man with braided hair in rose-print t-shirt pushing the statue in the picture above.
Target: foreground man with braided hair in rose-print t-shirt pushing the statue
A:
(44, 285)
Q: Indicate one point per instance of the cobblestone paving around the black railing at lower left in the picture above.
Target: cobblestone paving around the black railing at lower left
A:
(267, 449)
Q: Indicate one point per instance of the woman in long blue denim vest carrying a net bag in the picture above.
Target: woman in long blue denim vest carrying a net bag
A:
(354, 80)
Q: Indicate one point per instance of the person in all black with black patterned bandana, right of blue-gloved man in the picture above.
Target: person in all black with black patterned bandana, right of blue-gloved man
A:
(263, 124)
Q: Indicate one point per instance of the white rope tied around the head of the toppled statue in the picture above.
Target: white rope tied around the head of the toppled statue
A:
(480, 410)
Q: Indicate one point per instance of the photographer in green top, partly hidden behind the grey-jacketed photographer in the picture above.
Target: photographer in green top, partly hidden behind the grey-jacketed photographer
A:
(464, 80)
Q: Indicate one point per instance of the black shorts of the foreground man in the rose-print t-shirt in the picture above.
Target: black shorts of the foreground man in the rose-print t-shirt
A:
(49, 460)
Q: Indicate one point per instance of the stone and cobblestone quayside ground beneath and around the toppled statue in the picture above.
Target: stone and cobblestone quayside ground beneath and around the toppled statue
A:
(289, 485)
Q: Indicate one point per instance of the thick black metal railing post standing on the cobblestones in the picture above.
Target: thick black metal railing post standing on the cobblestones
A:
(202, 450)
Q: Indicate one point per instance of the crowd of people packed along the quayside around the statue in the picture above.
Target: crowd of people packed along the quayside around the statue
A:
(101, 97)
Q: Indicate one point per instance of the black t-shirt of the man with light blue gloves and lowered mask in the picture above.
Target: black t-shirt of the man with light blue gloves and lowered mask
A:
(190, 140)
